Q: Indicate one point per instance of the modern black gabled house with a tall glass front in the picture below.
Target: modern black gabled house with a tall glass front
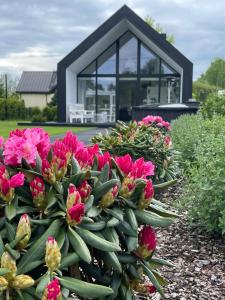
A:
(123, 70)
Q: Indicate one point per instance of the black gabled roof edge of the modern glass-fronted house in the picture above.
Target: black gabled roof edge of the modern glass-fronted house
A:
(125, 13)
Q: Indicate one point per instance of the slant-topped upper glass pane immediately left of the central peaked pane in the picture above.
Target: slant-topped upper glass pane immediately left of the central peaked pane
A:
(107, 61)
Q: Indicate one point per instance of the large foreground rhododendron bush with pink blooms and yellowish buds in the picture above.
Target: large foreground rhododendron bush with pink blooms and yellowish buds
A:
(75, 220)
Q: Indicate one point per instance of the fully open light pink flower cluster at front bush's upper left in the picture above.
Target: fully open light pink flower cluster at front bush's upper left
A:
(26, 144)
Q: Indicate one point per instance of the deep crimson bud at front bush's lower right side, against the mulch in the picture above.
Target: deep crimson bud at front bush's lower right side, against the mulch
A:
(147, 242)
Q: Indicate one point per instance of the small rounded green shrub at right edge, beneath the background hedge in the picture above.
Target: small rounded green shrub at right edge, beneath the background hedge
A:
(214, 104)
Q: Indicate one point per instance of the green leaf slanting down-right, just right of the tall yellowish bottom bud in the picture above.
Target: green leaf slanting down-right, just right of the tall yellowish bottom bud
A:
(79, 245)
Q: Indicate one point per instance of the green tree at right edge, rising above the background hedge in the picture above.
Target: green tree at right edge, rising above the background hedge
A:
(215, 74)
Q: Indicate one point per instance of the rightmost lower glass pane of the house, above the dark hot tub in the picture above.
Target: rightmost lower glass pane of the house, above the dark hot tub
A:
(170, 90)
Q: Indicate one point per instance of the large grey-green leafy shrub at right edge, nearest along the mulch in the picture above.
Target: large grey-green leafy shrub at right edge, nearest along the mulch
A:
(205, 189)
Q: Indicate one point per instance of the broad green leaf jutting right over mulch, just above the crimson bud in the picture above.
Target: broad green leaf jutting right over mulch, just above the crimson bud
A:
(147, 217)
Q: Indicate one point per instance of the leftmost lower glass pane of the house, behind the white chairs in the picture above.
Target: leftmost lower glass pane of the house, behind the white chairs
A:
(86, 93)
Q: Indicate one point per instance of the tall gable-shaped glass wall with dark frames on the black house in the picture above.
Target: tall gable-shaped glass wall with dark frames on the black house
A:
(125, 74)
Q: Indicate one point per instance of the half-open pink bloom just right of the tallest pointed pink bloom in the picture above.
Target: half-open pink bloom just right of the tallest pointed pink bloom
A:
(85, 156)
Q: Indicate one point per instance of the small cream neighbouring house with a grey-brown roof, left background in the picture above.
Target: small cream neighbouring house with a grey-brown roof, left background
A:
(36, 88)
